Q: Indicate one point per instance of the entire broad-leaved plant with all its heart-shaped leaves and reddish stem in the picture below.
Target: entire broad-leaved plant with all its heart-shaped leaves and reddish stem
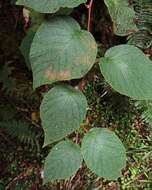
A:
(58, 50)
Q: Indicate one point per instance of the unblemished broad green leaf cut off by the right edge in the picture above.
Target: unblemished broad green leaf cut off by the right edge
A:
(128, 71)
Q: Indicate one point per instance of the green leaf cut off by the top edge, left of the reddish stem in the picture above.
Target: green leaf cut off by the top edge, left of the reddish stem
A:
(49, 6)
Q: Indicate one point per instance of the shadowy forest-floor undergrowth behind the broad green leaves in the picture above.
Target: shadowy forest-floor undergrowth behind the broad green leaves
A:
(21, 134)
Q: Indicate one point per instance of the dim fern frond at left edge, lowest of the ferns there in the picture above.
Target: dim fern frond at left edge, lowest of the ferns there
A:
(20, 130)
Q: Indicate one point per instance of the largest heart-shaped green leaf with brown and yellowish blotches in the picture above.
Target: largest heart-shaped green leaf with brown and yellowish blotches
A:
(61, 51)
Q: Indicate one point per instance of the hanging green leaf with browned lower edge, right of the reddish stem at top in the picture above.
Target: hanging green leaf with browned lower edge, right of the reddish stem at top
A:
(122, 16)
